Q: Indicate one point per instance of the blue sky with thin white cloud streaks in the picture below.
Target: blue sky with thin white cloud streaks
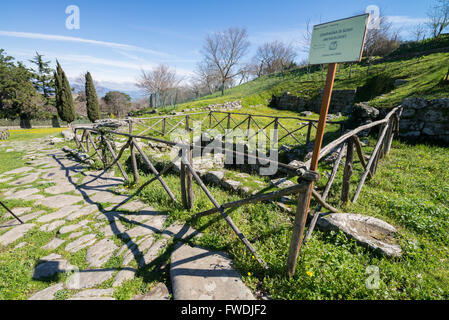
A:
(117, 39)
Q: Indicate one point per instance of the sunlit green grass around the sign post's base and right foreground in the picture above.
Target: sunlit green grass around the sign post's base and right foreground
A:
(409, 190)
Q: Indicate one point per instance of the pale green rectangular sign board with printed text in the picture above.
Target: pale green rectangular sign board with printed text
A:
(338, 41)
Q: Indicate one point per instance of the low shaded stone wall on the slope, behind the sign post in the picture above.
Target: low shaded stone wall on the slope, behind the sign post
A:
(341, 99)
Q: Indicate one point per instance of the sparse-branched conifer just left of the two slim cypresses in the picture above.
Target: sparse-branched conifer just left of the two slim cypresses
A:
(43, 80)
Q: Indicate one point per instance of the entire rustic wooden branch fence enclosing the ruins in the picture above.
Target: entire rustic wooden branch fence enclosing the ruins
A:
(388, 128)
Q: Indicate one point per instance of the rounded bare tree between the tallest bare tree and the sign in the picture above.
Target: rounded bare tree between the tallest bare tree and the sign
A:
(274, 57)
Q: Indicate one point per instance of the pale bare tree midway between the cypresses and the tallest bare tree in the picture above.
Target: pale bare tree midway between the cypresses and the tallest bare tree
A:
(159, 81)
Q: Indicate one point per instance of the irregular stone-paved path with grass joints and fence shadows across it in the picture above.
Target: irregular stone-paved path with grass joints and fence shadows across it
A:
(79, 210)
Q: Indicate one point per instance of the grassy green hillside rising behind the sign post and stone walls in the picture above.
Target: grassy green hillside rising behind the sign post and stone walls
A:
(423, 73)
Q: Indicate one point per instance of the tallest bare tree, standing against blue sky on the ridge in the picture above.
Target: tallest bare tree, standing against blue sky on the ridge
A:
(223, 52)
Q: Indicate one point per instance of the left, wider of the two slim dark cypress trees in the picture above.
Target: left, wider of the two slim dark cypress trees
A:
(64, 98)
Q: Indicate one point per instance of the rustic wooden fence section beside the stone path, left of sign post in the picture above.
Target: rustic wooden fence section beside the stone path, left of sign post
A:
(187, 173)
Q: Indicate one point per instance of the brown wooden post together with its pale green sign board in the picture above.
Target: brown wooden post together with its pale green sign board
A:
(333, 42)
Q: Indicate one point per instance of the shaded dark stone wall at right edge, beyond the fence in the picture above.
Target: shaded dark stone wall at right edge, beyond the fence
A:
(425, 120)
